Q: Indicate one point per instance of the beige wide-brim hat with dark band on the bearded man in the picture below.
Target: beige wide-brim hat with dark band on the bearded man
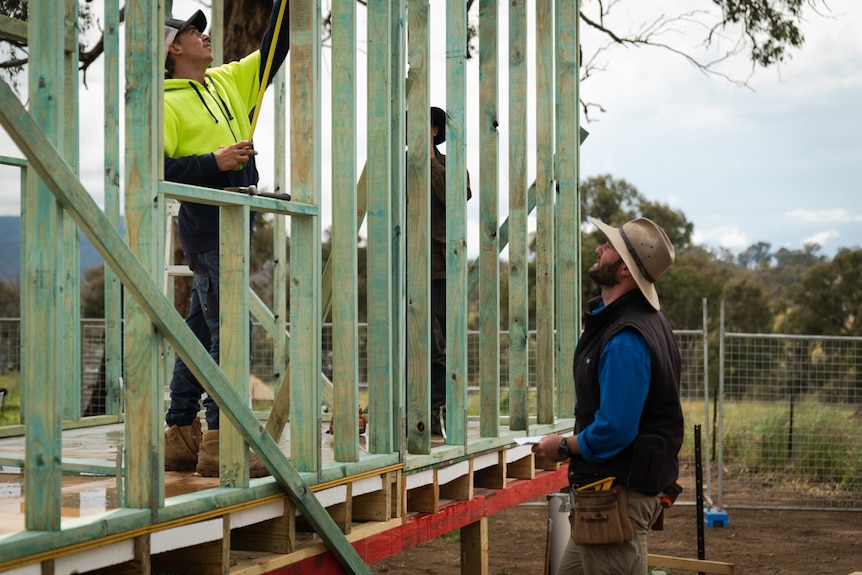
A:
(646, 250)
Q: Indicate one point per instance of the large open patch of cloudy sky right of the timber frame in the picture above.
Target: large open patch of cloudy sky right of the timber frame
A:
(780, 162)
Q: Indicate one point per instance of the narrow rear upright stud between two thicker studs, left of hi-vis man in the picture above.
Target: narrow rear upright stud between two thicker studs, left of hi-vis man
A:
(113, 293)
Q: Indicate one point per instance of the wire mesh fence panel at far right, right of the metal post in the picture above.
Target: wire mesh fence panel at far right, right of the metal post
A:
(791, 415)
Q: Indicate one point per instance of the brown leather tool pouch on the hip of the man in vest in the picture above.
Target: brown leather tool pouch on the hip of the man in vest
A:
(601, 517)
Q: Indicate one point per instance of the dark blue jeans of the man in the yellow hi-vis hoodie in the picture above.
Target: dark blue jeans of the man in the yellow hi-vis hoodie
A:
(203, 320)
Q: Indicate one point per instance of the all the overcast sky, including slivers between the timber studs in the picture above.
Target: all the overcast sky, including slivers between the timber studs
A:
(779, 161)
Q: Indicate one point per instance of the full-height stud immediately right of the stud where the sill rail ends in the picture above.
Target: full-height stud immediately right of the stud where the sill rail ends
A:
(345, 331)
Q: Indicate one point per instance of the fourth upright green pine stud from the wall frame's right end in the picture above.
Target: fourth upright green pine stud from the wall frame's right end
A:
(487, 270)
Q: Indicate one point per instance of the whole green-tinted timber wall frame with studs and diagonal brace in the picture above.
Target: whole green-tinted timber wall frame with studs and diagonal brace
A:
(56, 205)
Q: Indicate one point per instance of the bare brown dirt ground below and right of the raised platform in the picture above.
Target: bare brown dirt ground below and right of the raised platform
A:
(756, 542)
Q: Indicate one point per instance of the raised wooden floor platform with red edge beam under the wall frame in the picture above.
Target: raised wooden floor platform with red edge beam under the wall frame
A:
(381, 512)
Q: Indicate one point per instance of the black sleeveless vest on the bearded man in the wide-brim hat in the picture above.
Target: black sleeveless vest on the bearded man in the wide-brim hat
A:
(650, 463)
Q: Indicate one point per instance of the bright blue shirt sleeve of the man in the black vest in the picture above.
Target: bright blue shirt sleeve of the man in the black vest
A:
(624, 379)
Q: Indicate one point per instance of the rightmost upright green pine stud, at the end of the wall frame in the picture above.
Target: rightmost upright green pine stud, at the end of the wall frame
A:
(567, 176)
